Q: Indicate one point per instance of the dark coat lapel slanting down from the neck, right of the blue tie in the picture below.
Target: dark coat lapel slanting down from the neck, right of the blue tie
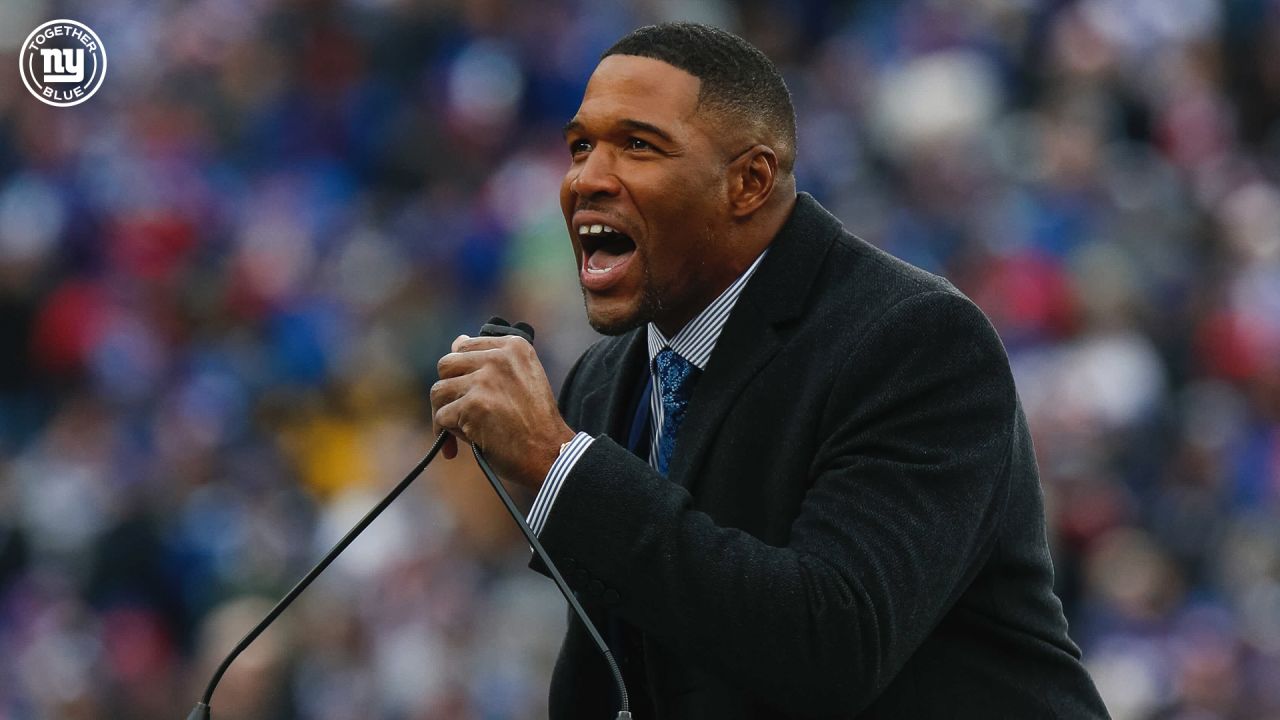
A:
(752, 336)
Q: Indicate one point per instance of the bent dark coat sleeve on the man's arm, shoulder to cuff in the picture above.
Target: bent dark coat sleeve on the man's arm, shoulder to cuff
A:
(904, 496)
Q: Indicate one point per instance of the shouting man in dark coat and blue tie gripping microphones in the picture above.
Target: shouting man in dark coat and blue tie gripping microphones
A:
(797, 481)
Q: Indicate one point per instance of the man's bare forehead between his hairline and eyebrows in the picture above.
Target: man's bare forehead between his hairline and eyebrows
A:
(641, 89)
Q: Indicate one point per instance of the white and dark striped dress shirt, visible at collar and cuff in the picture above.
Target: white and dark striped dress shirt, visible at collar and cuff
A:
(694, 343)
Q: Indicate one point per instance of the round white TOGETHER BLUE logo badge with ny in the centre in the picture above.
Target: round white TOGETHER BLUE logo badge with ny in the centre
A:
(63, 63)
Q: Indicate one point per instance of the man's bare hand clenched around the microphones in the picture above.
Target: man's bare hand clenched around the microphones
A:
(493, 394)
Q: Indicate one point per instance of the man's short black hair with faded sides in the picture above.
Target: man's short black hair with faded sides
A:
(737, 78)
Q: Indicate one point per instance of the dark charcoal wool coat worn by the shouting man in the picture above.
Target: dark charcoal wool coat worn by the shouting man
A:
(853, 523)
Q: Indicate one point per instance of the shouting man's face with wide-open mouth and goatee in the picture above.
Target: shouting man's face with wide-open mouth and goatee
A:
(646, 198)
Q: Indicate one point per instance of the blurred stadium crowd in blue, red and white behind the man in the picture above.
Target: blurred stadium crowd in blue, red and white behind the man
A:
(226, 281)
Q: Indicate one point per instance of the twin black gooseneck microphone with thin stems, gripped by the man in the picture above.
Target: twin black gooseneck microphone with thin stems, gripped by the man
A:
(496, 327)
